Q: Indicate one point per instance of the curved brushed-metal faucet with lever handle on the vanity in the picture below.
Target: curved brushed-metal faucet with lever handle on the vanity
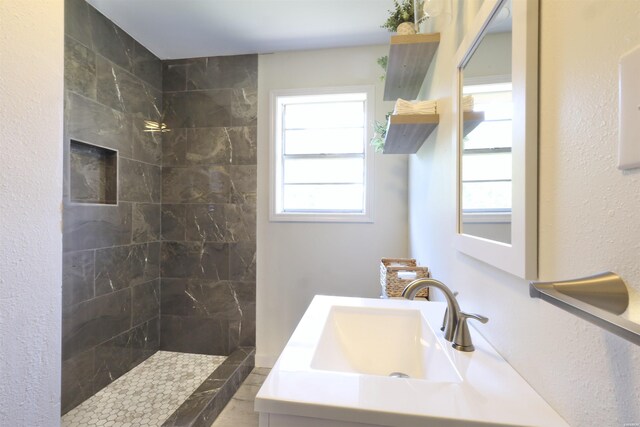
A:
(455, 325)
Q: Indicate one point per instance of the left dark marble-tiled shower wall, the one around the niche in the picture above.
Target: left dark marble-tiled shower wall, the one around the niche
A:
(112, 253)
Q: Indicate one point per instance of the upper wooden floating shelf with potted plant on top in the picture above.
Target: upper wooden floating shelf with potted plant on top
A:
(408, 63)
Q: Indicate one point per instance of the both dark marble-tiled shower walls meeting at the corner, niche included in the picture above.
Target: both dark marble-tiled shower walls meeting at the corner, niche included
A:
(159, 205)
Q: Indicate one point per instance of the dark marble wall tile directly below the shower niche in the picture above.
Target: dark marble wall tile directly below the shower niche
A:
(95, 226)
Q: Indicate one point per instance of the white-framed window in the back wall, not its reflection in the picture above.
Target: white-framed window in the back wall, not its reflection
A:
(321, 165)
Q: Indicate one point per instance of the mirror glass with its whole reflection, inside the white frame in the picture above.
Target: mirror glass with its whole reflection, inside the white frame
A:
(486, 164)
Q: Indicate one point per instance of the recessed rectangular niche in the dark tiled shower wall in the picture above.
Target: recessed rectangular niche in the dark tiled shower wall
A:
(93, 174)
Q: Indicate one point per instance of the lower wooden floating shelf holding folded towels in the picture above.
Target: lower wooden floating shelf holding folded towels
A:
(407, 133)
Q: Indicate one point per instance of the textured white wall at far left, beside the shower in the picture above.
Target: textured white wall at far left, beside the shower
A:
(31, 99)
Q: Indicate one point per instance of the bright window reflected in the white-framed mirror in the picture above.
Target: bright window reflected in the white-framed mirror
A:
(486, 180)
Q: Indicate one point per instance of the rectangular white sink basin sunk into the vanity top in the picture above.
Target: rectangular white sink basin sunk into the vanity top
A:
(365, 340)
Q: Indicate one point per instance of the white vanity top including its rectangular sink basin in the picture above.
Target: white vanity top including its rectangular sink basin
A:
(335, 370)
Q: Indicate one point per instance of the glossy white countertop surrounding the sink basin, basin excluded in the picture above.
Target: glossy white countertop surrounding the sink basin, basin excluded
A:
(491, 392)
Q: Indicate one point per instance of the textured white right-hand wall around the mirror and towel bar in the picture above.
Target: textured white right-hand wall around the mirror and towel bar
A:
(588, 215)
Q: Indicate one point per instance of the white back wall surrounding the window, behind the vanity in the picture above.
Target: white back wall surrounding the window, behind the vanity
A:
(299, 260)
